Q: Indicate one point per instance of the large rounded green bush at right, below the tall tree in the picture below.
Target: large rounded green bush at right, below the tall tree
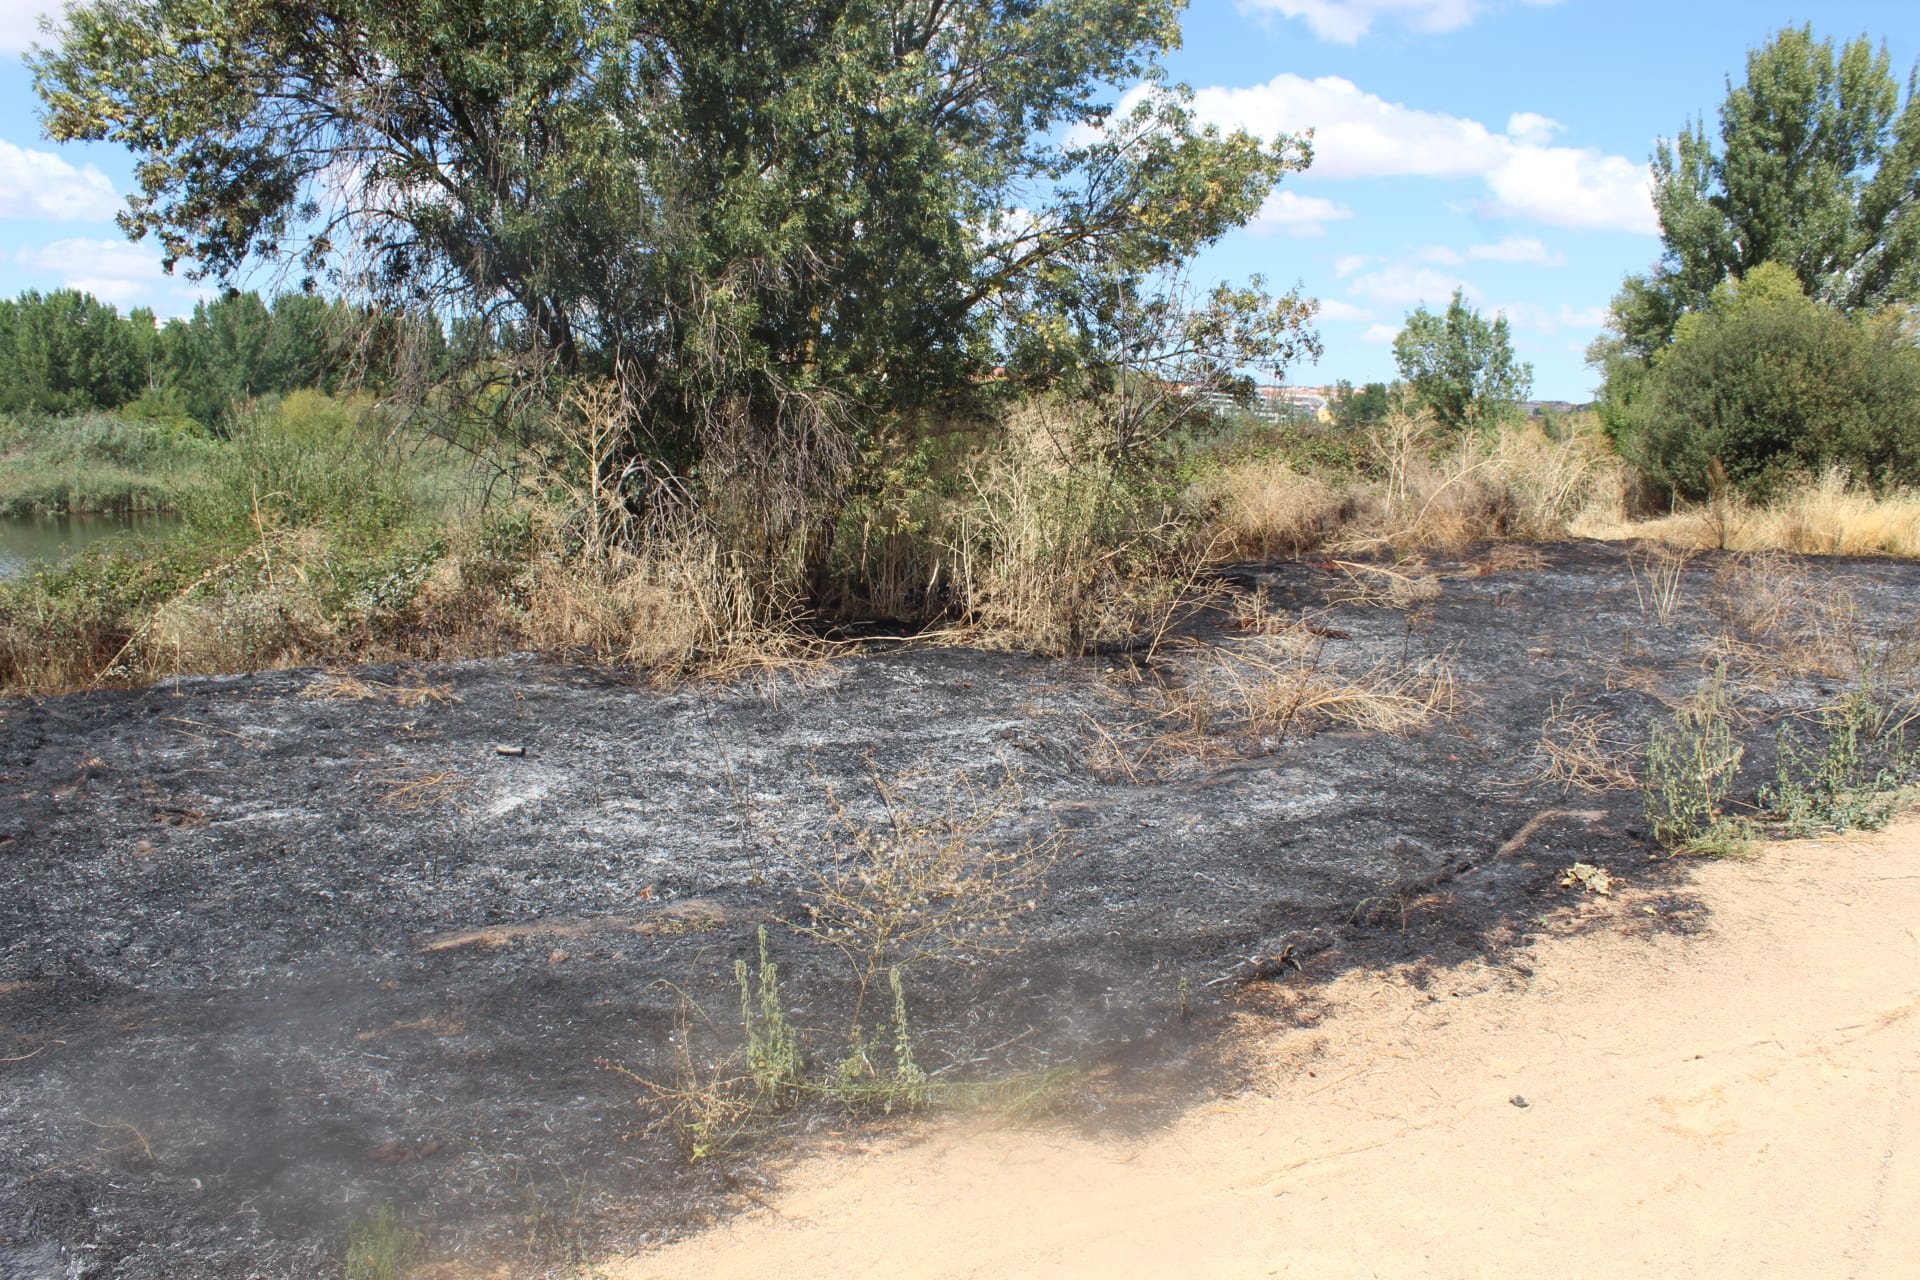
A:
(1773, 383)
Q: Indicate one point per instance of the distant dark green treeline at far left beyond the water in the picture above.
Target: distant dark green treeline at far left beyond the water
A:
(68, 352)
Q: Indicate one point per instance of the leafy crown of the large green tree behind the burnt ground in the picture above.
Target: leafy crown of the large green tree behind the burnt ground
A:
(761, 216)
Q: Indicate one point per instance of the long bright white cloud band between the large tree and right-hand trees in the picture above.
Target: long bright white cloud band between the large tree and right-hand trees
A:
(1360, 135)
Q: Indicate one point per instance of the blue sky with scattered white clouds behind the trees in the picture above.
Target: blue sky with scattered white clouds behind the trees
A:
(1489, 145)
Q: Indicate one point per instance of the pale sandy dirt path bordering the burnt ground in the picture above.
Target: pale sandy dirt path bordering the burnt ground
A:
(1739, 1102)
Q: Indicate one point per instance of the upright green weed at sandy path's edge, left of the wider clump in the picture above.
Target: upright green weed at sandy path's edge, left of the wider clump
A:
(1692, 763)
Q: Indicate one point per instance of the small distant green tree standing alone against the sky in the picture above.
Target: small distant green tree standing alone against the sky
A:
(1462, 366)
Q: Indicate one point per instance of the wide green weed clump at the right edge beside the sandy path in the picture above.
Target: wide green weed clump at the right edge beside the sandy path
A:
(1854, 782)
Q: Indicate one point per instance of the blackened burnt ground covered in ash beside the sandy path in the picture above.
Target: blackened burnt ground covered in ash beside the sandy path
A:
(274, 960)
